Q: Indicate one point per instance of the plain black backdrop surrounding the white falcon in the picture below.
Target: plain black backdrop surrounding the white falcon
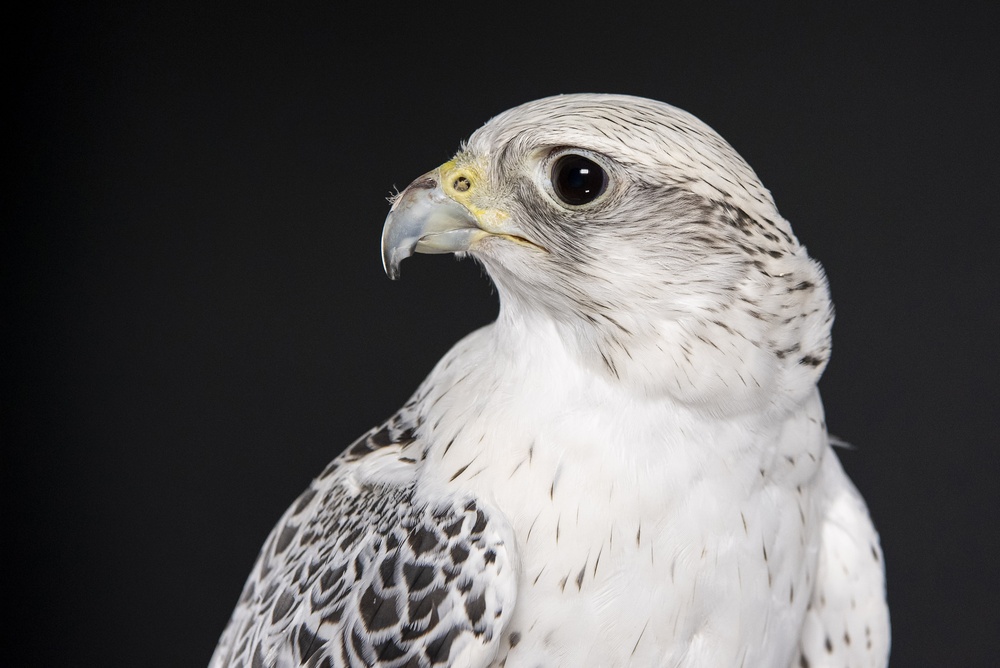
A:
(200, 321)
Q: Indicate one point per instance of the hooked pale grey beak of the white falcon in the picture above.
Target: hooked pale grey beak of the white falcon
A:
(425, 219)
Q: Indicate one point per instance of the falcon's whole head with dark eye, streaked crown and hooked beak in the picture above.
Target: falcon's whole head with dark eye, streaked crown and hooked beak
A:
(642, 236)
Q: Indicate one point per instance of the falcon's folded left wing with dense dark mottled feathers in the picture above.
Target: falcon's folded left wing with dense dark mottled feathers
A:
(364, 571)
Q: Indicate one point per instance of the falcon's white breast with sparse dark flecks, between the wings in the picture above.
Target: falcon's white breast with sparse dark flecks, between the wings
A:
(605, 494)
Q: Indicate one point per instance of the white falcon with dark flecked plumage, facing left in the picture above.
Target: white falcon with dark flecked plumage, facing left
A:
(630, 467)
